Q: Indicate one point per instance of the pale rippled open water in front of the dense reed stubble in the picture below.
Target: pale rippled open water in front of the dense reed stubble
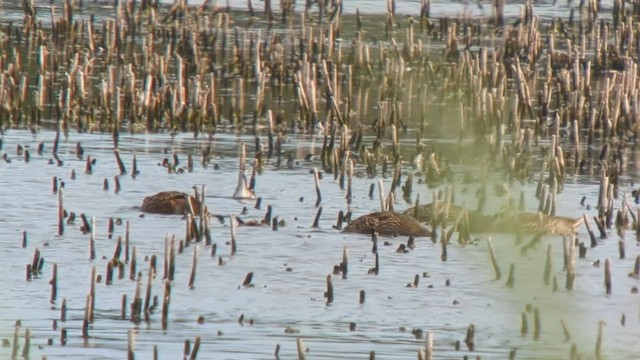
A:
(284, 299)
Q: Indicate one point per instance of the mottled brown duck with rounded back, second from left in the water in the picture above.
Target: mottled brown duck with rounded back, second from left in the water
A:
(387, 223)
